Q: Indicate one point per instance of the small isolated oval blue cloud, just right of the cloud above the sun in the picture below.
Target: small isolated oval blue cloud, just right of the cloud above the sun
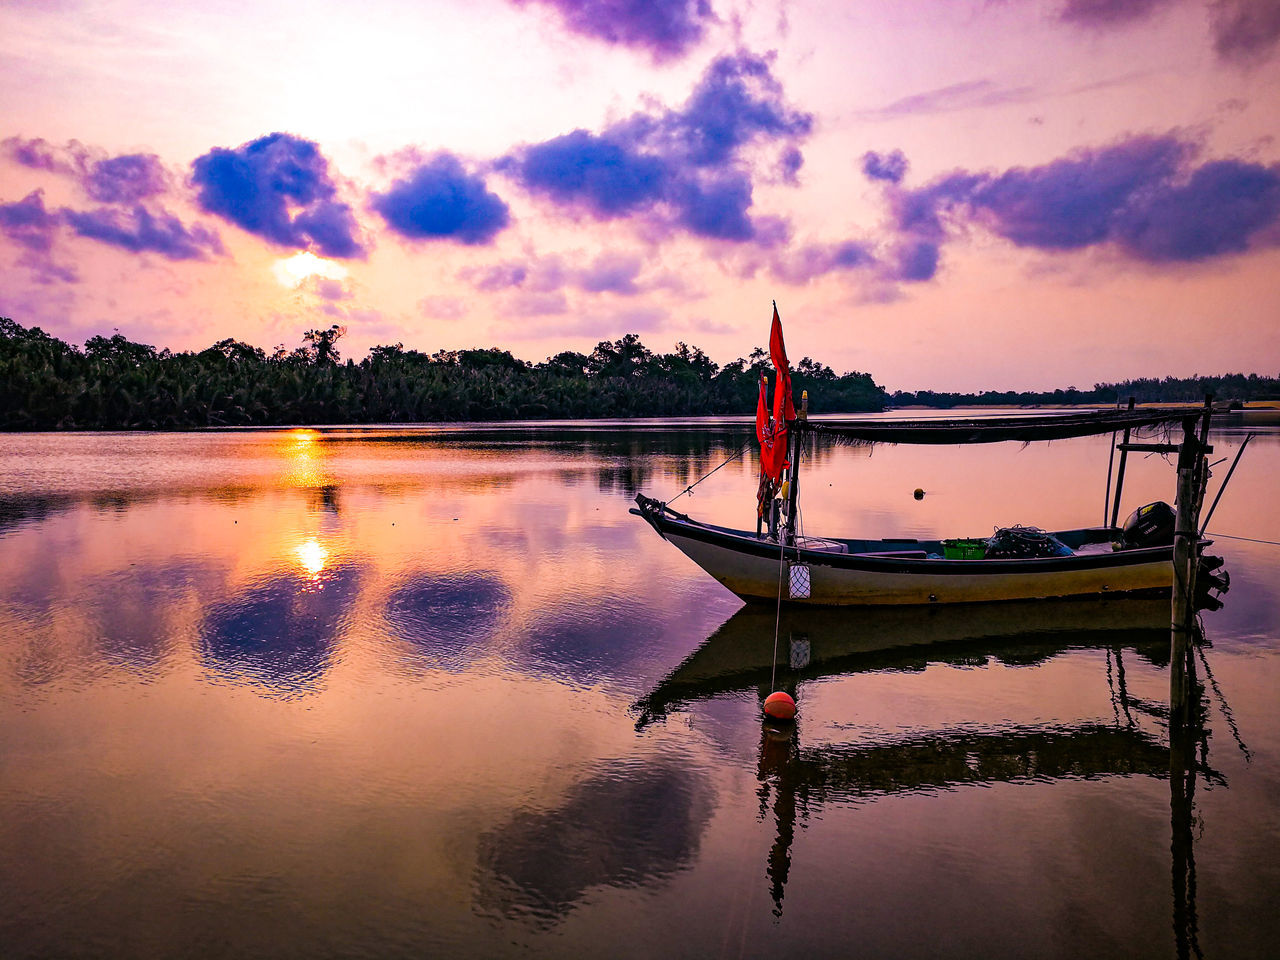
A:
(442, 202)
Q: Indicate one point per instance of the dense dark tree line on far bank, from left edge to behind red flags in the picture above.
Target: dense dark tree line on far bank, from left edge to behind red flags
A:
(115, 383)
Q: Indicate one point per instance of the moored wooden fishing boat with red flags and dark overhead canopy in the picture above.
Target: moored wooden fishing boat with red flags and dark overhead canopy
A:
(776, 563)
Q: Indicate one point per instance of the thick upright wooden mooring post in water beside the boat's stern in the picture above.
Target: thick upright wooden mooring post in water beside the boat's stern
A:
(1186, 527)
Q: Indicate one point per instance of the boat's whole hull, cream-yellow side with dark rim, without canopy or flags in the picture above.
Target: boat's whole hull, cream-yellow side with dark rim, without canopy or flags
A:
(756, 569)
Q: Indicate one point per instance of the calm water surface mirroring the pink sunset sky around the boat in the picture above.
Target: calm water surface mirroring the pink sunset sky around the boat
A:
(422, 693)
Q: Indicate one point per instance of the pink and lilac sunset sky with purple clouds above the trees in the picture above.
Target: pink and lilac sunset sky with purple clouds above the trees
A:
(949, 195)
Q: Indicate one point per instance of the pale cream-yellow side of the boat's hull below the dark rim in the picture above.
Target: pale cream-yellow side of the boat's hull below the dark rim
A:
(753, 577)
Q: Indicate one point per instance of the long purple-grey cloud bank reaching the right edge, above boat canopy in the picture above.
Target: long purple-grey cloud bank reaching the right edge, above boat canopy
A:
(1141, 195)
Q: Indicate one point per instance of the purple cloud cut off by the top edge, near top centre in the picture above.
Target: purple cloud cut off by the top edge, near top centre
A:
(665, 29)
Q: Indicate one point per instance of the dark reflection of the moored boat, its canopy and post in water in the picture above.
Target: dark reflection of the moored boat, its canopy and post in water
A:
(798, 780)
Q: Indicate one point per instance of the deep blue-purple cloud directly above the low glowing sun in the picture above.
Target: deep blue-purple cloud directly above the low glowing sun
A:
(278, 188)
